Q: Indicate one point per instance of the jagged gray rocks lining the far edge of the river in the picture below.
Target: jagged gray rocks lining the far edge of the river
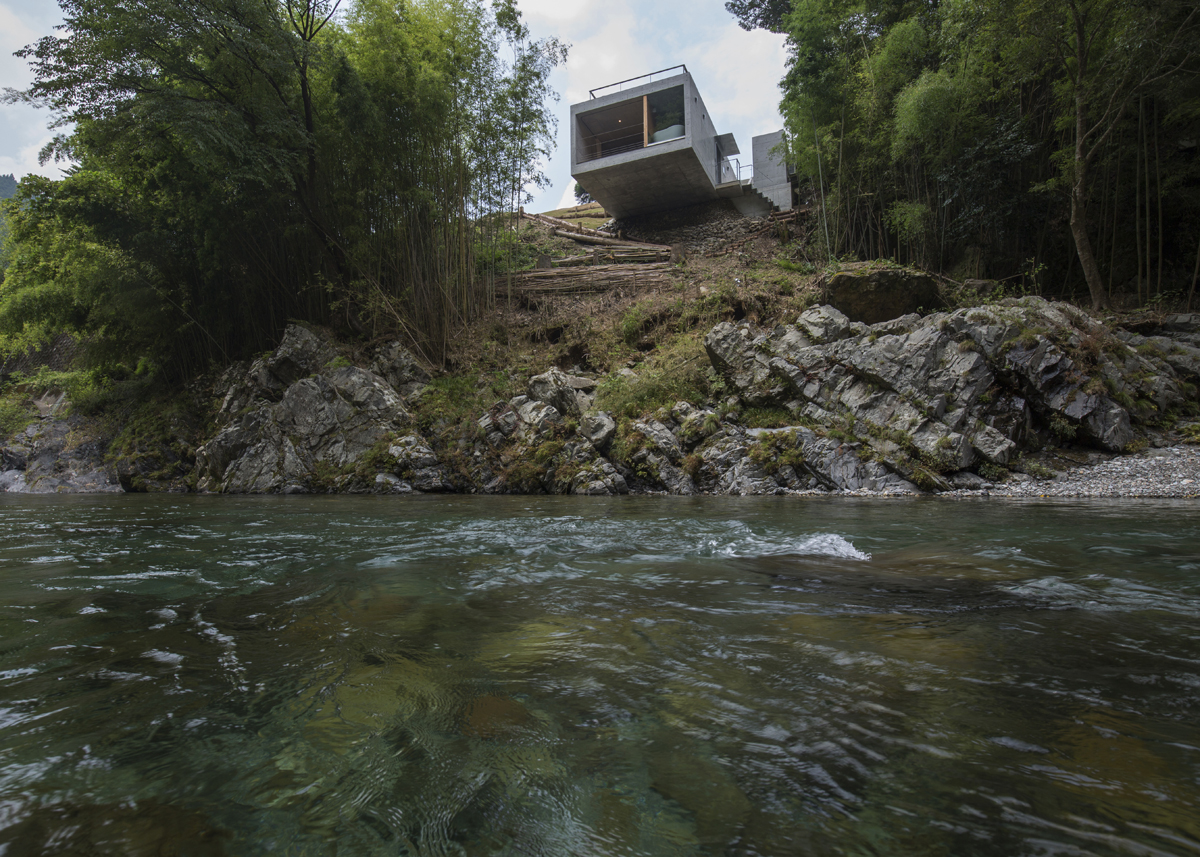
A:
(908, 405)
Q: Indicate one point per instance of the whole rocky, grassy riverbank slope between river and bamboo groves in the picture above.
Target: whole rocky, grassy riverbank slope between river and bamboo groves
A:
(731, 374)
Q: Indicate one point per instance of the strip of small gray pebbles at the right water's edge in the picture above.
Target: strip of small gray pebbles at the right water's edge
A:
(1173, 472)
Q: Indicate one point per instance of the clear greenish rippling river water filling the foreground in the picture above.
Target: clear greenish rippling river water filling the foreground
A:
(633, 676)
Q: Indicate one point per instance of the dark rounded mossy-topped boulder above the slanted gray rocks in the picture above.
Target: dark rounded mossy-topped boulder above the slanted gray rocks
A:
(873, 293)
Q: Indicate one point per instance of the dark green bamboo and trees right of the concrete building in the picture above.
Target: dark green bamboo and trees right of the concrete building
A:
(1051, 143)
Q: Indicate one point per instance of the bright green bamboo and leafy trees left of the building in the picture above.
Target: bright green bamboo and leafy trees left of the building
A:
(238, 164)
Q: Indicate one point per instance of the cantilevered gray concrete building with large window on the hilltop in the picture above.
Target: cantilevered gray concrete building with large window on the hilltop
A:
(650, 145)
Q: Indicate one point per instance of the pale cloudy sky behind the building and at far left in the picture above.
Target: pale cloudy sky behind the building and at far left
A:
(737, 73)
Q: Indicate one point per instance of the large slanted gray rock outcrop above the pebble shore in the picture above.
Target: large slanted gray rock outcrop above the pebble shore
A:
(951, 391)
